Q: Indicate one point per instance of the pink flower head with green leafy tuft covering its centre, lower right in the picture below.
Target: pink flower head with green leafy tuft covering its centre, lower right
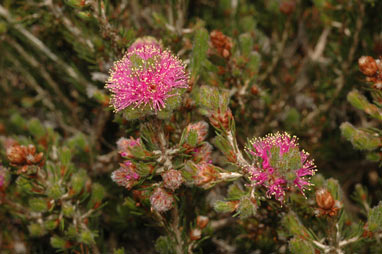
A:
(281, 165)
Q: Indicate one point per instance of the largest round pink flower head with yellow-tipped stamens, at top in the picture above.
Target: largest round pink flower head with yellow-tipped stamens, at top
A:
(146, 76)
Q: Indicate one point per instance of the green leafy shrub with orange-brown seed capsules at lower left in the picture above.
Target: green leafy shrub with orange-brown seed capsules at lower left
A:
(49, 196)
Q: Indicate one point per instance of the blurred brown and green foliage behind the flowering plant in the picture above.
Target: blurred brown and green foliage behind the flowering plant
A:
(288, 65)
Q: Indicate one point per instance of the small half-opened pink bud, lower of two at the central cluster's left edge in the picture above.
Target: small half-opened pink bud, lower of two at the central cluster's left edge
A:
(125, 176)
